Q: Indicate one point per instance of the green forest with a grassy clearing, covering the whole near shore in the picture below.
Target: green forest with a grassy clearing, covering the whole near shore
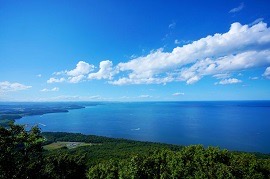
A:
(32, 154)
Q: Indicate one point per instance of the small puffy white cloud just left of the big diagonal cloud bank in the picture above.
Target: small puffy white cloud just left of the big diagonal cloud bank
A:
(105, 71)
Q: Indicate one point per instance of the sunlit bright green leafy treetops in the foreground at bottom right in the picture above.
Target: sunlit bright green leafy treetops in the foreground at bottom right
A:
(190, 162)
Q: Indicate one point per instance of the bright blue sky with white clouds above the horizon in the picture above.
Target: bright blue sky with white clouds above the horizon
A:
(134, 50)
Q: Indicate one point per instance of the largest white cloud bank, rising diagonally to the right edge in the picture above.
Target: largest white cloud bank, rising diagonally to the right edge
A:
(242, 47)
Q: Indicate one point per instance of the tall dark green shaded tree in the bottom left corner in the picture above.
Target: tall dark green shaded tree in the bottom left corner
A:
(20, 152)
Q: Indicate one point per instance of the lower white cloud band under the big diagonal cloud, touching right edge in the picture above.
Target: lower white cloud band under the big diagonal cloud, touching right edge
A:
(224, 64)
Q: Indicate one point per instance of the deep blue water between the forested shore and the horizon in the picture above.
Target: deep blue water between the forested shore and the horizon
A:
(235, 125)
